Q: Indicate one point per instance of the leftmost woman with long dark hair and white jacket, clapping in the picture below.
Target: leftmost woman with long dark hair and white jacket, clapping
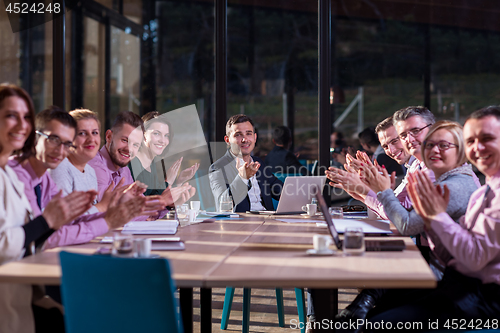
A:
(19, 231)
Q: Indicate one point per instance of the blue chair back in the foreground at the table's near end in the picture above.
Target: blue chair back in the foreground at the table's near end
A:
(106, 294)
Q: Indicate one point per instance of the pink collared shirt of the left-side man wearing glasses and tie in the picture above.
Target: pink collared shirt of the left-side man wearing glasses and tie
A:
(81, 230)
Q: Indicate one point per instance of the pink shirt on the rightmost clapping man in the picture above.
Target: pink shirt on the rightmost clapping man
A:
(474, 243)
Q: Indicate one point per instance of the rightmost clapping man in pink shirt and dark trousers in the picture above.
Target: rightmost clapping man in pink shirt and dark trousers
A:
(470, 290)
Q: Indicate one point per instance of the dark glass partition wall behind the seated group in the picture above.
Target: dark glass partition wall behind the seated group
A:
(144, 55)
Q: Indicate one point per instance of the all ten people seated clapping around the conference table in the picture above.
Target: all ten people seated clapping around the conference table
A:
(102, 195)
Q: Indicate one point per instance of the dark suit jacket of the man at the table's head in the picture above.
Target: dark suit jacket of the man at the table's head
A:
(225, 182)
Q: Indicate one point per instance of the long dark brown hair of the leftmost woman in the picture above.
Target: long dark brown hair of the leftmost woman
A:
(11, 90)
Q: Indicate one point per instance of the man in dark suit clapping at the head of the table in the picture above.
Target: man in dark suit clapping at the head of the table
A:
(237, 174)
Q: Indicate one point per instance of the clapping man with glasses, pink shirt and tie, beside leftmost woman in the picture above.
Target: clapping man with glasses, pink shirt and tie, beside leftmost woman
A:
(55, 134)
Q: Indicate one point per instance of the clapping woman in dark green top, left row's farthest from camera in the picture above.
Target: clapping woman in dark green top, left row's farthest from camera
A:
(148, 167)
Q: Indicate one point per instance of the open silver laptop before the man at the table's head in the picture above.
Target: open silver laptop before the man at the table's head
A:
(297, 191)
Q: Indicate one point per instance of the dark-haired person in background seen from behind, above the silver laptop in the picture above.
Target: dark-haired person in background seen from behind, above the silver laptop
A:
(280, 159)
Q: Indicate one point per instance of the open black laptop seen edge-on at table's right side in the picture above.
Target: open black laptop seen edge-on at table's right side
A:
(370, 245)
